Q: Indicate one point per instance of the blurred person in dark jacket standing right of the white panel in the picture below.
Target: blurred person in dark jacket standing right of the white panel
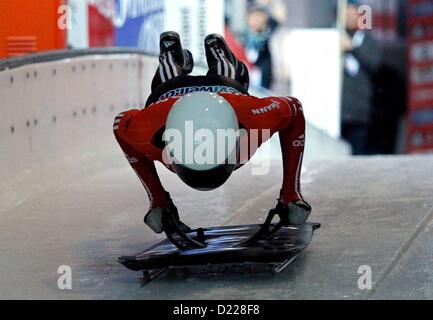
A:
(362, 59)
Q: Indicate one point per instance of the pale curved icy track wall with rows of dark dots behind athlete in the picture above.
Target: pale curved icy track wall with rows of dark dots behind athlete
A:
(57, 111)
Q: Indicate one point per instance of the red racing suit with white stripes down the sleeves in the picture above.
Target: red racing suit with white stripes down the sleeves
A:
(138, 133)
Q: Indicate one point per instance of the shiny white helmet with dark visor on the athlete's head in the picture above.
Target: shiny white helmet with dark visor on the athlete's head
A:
(201, 137)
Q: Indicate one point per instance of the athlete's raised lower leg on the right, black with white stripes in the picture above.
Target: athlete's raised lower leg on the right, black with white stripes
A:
(221, 60)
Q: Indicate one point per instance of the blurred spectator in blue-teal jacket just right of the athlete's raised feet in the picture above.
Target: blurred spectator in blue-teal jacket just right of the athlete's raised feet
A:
(256, 41)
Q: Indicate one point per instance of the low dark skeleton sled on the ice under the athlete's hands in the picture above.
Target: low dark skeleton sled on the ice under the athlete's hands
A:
(272, 244)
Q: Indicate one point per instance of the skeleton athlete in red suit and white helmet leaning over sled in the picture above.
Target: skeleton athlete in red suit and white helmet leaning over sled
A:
(219, 99)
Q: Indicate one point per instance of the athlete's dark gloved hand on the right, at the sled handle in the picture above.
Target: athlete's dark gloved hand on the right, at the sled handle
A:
(295, 213)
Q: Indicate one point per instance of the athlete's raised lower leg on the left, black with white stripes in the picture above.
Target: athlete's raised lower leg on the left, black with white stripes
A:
(173, 60)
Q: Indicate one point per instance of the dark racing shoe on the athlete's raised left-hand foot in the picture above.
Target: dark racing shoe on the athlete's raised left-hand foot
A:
(170, 42)
